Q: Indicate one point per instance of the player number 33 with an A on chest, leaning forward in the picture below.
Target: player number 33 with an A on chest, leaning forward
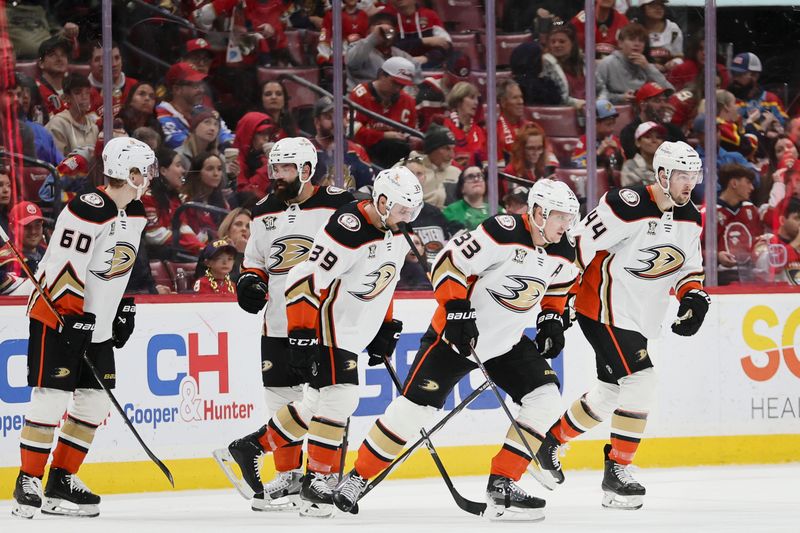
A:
(489, 281)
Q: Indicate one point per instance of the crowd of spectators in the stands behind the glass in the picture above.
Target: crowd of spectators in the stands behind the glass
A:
(419, 100)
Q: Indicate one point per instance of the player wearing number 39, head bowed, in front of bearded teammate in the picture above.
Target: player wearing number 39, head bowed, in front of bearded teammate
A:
(339, 302)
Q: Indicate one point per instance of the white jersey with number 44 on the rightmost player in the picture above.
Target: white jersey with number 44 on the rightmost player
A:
(632, 254)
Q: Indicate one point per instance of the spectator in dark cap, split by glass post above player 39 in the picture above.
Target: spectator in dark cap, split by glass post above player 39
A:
(357, 172)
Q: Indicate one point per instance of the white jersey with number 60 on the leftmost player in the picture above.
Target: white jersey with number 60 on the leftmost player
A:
(87, 265)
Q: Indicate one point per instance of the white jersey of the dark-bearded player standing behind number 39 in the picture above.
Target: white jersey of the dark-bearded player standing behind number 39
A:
(281, 237)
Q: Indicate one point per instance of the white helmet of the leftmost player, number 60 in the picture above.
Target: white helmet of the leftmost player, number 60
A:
(121, 155)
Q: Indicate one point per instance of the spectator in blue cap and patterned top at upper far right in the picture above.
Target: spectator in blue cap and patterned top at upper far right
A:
(763, 108)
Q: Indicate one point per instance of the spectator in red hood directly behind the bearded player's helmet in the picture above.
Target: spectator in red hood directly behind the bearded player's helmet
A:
(252, 140)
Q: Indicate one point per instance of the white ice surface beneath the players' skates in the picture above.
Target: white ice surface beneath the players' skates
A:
(751, 499)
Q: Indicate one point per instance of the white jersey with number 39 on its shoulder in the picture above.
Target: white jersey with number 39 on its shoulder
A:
(345, 288)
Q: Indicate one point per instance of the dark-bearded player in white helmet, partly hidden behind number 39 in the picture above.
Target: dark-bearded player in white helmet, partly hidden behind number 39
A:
(281, 236)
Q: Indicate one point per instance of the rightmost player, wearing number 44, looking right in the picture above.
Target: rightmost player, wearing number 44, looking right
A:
(636, 246)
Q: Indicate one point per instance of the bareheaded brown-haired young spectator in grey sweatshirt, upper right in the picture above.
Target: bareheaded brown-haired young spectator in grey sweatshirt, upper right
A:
(622, 73)
